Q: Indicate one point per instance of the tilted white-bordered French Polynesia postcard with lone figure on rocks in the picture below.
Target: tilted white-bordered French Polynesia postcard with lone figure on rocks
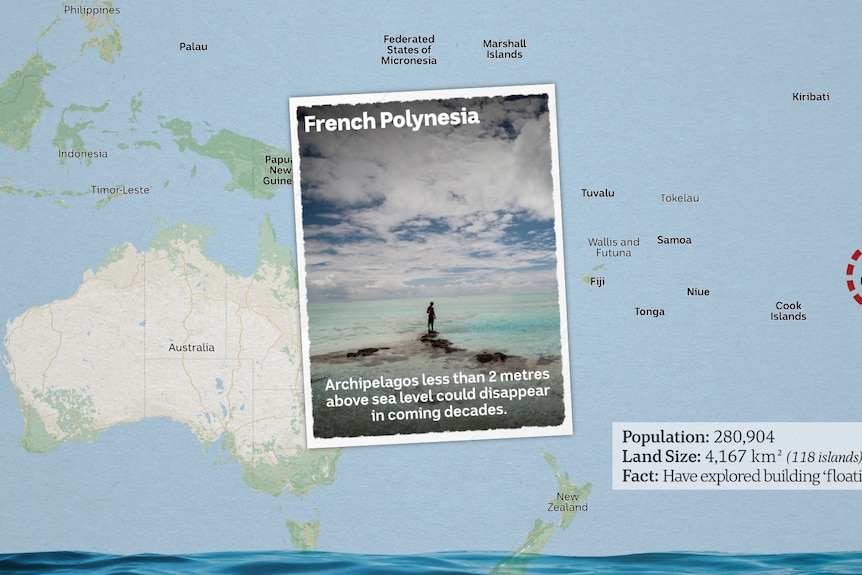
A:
(430, 266)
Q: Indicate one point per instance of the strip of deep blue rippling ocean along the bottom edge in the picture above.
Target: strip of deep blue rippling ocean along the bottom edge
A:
(468, 563)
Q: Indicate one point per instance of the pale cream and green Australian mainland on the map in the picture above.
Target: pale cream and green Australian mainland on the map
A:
(228, 345)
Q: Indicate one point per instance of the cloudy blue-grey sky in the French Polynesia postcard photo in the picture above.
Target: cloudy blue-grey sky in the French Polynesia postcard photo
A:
(442, 211)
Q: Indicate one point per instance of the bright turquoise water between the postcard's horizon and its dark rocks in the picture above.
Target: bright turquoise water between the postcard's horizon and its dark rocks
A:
(523, 325)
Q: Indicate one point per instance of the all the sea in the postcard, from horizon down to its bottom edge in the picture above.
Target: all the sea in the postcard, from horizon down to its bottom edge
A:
(525, 328)
